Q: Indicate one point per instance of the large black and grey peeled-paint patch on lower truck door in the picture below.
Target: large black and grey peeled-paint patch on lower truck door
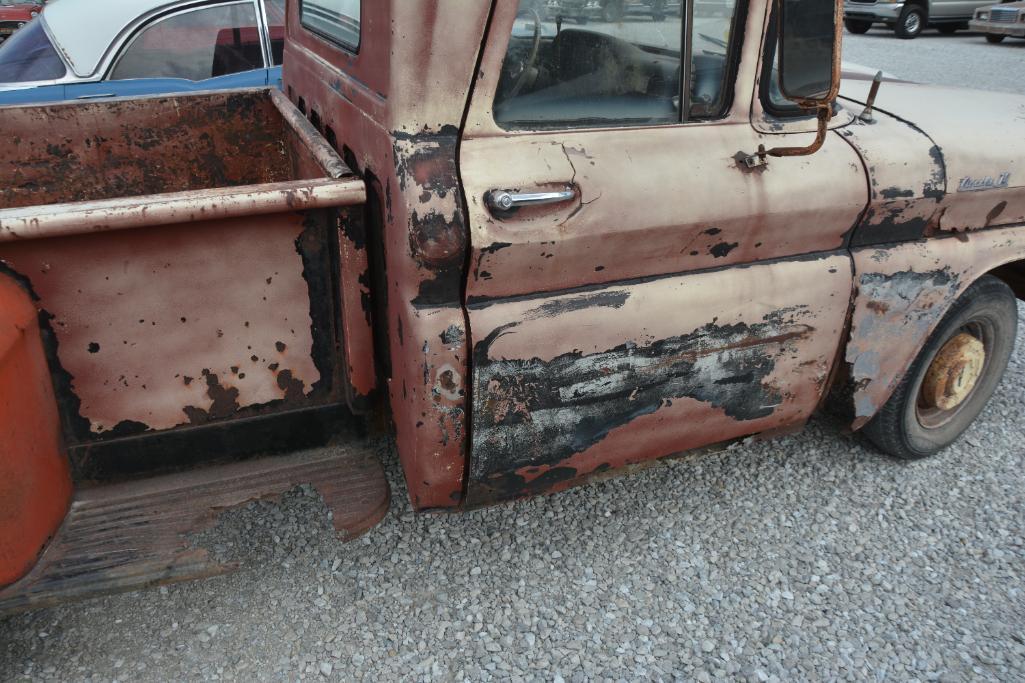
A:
(542, 414)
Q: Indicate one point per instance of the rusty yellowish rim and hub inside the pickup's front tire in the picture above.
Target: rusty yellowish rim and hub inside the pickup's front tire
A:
(954, 376)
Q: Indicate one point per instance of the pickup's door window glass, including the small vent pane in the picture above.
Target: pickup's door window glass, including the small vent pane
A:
(608, 63)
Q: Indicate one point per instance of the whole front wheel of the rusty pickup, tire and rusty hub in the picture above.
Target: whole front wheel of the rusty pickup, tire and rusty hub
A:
(954, 377)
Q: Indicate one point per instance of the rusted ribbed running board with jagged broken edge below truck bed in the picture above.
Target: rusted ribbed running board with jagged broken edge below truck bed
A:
(134, 535)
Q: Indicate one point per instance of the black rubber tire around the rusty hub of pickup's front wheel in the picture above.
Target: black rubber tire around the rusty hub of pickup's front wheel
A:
(907, 428)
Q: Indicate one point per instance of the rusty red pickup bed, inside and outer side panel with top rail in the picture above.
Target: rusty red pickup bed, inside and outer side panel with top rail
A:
(193, 261)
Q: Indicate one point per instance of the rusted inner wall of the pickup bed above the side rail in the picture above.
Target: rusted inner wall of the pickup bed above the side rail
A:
(130, 148)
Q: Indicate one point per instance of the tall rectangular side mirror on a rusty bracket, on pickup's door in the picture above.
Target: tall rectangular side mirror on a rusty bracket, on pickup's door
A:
(810, 38)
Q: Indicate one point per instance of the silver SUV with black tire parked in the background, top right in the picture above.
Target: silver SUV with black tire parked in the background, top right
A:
(910, 19)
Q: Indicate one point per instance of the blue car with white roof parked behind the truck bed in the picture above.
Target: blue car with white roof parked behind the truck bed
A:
(85, 50)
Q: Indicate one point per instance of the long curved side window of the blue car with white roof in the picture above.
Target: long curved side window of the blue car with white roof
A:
(197, 45)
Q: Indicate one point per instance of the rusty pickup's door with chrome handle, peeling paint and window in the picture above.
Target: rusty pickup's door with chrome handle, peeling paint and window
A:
(634, 291)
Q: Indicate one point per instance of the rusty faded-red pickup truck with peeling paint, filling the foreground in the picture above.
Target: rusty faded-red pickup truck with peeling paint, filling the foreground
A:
(535, 253)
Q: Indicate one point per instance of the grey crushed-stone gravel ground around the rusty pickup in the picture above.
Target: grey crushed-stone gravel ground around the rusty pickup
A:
(811, 557)
